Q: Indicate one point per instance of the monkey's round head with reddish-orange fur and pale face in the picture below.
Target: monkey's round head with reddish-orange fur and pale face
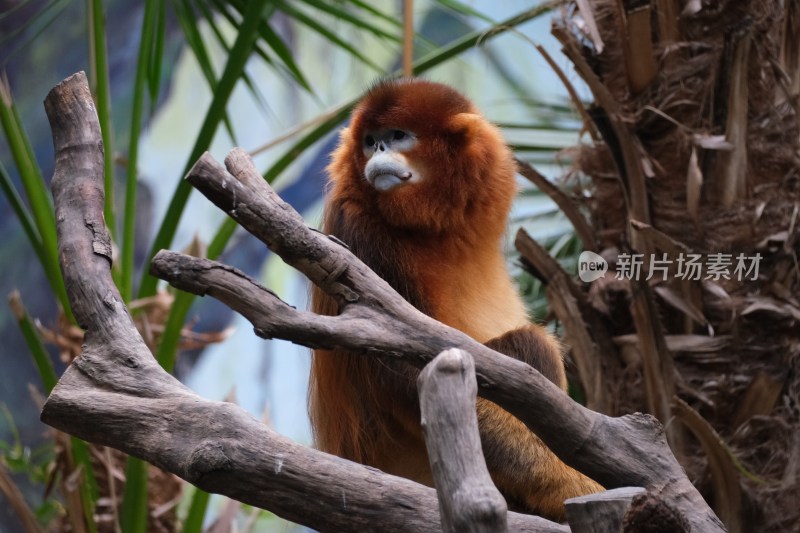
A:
(418, 157)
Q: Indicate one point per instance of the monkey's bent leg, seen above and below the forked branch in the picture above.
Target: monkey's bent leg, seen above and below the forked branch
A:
(528, 474)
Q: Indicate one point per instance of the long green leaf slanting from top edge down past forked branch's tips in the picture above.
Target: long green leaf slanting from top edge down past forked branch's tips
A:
(242, 48)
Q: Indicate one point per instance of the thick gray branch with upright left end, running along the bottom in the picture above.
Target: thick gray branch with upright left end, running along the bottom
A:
(116, 394)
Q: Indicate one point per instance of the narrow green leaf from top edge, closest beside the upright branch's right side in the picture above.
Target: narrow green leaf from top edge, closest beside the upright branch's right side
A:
(98, 53)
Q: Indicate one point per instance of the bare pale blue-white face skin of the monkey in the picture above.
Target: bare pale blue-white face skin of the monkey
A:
(387, 167)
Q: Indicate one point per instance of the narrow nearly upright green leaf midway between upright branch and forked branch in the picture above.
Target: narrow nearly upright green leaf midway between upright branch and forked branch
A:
(149, 24)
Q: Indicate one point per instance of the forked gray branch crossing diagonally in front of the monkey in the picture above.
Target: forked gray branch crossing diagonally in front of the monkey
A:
(375, 320)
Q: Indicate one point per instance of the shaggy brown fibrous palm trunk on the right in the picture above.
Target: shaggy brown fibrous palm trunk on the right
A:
(696, 111)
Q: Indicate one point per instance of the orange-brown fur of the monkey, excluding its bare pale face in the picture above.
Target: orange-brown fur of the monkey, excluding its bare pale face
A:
(438, 243)
